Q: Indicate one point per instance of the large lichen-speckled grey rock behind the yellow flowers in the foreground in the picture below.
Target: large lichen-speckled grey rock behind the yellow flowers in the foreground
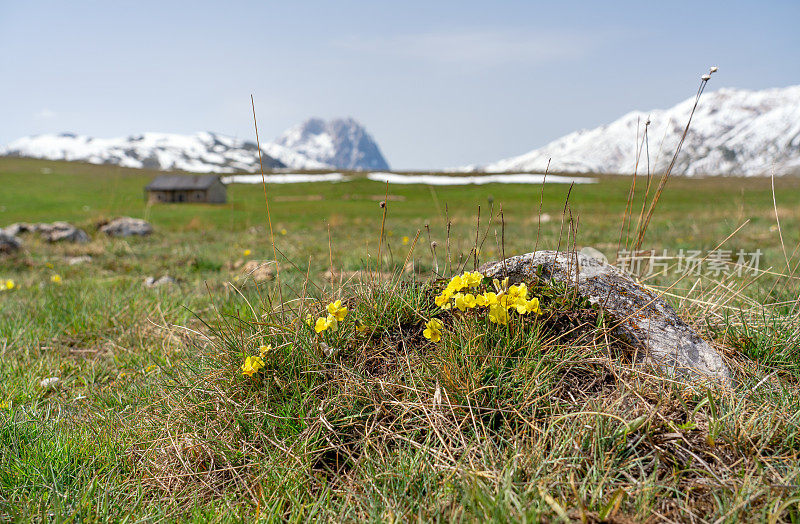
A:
(646, 320)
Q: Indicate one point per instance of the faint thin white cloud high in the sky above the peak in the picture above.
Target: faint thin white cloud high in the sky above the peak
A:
(476, 48)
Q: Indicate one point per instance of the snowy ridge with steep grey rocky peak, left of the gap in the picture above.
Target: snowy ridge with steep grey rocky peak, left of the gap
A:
(338, 144)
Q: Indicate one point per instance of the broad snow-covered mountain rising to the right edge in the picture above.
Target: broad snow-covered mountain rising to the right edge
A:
(733, 132)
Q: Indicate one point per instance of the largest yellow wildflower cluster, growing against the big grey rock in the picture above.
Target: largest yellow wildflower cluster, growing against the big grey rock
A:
(499, 301)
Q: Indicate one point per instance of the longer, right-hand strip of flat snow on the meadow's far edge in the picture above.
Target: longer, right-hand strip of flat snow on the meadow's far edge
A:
(506, 178)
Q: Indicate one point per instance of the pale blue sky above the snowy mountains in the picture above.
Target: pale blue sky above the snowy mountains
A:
(437, 83)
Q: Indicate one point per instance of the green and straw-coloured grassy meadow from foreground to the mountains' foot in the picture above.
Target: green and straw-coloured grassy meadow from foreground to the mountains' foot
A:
(152, 418)
